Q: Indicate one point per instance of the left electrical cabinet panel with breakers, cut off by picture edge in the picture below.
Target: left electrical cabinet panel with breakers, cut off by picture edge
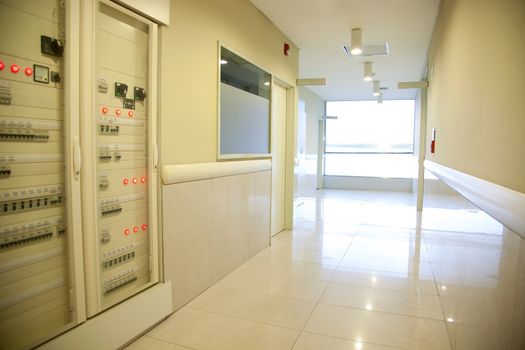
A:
(35, 232)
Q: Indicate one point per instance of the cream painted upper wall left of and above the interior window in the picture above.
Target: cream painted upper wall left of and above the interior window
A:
(189, 70)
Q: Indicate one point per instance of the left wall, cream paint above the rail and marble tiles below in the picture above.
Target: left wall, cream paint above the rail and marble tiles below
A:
(210, 226)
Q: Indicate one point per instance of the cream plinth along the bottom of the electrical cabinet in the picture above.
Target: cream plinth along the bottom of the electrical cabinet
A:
(117, 326)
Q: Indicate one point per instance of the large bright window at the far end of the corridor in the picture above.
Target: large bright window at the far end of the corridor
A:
(370, 139)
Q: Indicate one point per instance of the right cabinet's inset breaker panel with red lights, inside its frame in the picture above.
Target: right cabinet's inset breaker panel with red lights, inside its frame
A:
(121, 142)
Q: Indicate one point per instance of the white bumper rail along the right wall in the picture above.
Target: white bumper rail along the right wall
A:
(503, 204)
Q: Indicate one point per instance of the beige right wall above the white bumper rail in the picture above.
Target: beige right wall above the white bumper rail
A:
(476, 70)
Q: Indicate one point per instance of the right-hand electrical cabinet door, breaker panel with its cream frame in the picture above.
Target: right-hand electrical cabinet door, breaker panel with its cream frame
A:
(118, 141)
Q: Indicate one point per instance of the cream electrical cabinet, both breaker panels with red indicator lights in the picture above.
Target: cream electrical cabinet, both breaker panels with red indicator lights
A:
(74, 240)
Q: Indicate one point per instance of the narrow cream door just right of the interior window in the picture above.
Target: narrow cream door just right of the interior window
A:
(279, 109)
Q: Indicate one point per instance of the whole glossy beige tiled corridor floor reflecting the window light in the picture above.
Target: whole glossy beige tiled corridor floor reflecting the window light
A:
(359, 270)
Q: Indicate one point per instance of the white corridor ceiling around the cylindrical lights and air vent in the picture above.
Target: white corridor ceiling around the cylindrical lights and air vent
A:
(322, 27)
